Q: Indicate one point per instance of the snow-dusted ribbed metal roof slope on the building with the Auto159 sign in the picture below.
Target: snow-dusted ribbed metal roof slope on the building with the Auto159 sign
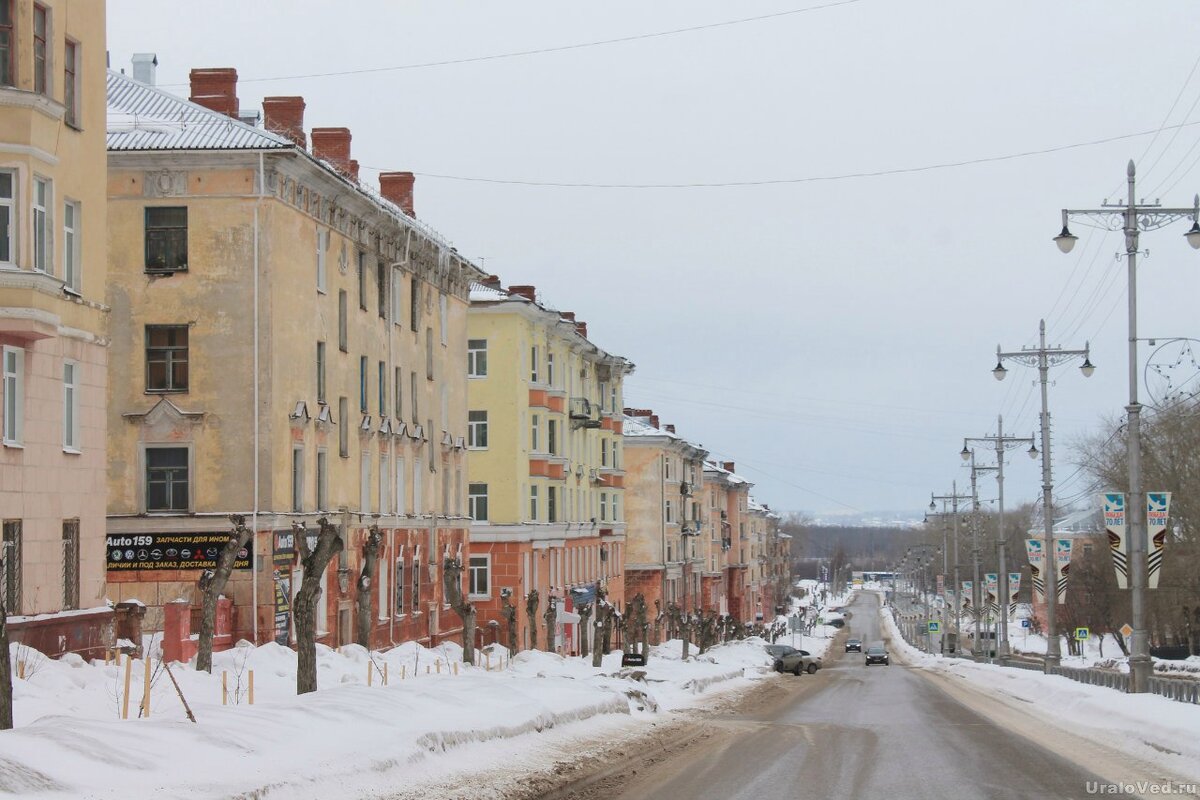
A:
(146, 118)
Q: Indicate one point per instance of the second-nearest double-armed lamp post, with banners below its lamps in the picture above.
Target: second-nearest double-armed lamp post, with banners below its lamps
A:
(1045, 358)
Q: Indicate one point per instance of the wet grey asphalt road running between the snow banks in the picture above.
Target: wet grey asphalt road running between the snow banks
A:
(855, 732)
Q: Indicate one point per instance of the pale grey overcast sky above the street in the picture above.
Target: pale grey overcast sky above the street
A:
(832, 336)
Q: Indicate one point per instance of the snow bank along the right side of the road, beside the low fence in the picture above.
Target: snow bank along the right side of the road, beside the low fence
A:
(1147, 727)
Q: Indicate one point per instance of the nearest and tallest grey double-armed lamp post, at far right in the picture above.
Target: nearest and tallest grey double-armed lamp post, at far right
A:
(1132, 219)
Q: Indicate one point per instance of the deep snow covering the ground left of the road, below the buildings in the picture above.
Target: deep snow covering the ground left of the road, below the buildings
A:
(349, 739)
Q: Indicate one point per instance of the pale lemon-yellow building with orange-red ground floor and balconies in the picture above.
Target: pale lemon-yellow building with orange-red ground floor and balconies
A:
(547, 489)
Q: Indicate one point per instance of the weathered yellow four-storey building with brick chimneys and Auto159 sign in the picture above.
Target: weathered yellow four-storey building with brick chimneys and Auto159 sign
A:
(289, 345)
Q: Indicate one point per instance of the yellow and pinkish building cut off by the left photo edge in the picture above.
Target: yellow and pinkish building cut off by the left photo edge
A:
(53, 339)
